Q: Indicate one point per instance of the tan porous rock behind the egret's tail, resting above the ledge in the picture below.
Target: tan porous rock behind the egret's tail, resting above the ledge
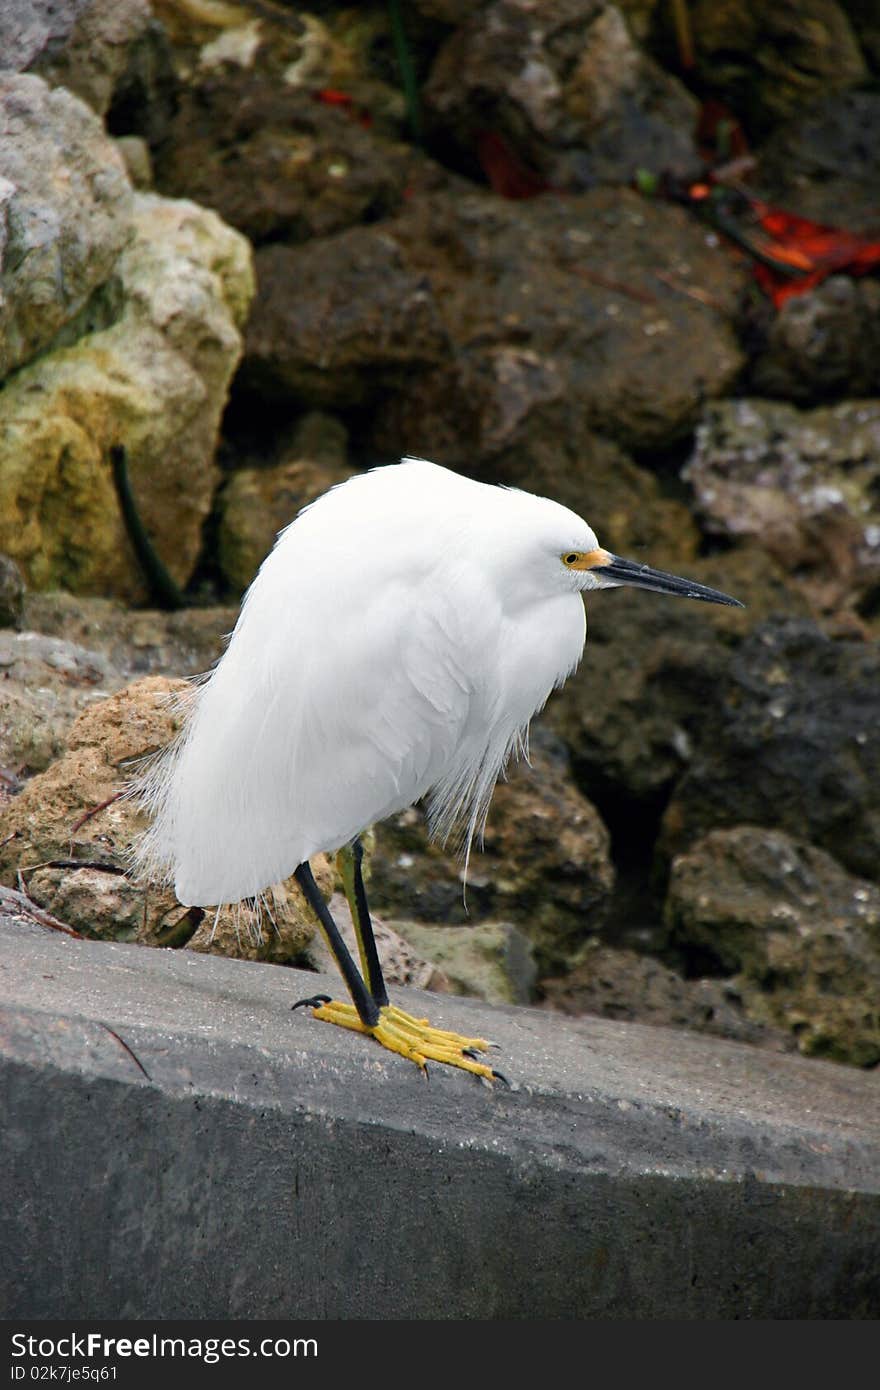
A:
(69, 835)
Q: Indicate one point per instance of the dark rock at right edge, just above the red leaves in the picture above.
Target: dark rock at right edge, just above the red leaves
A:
(826, 163)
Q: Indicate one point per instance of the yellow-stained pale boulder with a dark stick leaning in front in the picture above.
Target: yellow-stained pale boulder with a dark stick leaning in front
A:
(151, 377)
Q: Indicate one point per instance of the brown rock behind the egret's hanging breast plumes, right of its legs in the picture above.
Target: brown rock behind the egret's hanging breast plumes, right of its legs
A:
(544, 864)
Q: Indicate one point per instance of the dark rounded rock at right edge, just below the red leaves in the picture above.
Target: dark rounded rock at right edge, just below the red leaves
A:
(824, 344)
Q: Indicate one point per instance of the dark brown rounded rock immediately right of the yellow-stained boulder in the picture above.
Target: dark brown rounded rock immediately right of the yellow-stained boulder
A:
(339, 319)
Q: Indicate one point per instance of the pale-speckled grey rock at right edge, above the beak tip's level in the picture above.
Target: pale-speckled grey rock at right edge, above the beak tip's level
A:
(804, 486)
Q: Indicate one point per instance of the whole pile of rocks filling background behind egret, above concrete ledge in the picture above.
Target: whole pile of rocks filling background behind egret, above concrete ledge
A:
(259, 247)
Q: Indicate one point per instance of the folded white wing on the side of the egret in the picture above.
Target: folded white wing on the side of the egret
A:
(326, 715)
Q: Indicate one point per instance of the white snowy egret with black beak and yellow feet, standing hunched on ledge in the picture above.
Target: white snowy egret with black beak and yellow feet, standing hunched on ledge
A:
(394, 647)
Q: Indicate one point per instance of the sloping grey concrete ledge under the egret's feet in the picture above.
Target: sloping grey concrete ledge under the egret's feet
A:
(275, 1167)
